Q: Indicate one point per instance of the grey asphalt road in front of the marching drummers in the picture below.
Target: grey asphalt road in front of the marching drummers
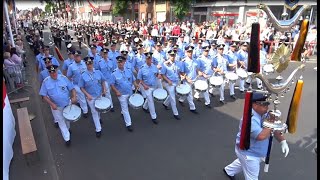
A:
(194, 148)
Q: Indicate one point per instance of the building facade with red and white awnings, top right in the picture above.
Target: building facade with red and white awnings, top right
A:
(244, 11)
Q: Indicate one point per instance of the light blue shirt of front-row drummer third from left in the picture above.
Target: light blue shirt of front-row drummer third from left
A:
(123, 81)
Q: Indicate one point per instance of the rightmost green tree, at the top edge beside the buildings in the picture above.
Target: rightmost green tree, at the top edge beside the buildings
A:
(181, 8)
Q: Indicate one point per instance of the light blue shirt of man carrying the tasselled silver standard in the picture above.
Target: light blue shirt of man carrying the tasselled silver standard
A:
(257, 148)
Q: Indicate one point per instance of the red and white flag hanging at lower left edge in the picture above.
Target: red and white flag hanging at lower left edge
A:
(9, 132)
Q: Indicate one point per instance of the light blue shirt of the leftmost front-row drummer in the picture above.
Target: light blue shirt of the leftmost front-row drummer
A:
(58, 90)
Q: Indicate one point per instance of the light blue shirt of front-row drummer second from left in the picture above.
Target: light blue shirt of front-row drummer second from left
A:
(92, 82)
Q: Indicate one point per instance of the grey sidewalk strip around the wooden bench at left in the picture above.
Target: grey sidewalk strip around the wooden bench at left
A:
(44, 168)
